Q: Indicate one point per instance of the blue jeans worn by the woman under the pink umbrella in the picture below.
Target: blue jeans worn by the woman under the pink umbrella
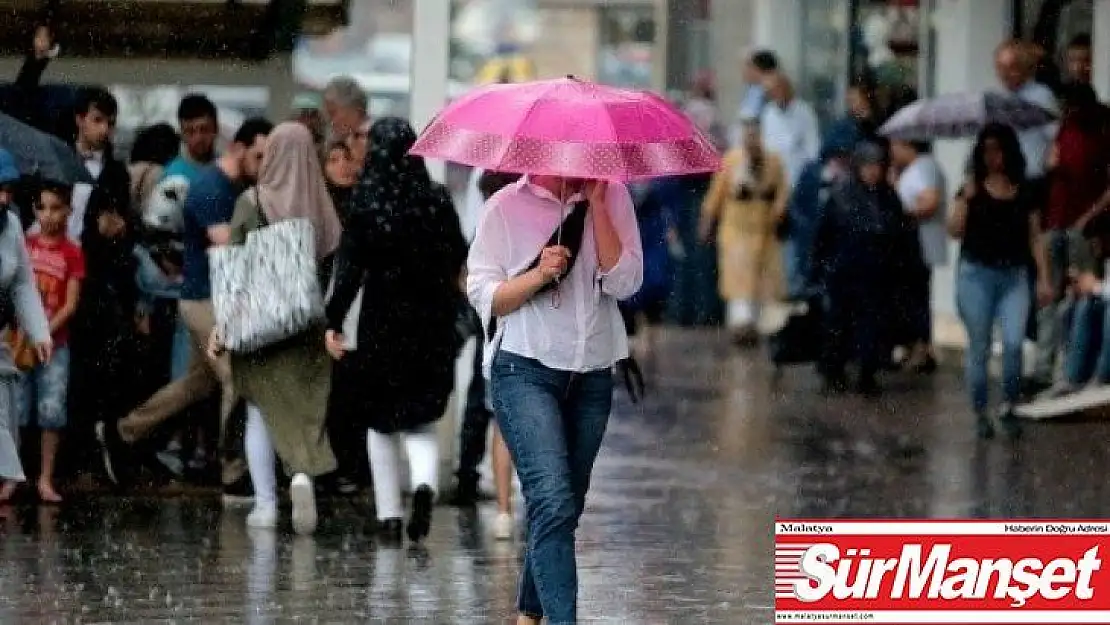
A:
(553, 424)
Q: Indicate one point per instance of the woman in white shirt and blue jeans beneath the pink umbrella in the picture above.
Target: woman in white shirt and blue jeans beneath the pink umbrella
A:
(561, 334)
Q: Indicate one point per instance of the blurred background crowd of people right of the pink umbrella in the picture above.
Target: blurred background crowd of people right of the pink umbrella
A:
(855, 225)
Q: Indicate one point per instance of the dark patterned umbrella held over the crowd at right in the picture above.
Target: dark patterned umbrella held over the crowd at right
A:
(964, 115)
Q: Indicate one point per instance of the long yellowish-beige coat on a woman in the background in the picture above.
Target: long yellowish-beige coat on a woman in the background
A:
(750, 259)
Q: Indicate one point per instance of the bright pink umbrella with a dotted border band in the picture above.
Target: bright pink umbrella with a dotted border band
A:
(569, 128)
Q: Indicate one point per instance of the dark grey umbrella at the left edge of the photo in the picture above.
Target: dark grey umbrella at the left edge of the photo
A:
(43, 155)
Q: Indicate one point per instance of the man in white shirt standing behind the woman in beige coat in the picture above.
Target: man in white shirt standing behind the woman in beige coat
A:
(790, 127)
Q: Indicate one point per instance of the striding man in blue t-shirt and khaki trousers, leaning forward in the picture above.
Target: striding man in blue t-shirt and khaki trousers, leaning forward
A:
(208, 211)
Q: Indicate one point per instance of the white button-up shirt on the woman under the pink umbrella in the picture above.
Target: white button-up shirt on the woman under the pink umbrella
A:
(586, 332)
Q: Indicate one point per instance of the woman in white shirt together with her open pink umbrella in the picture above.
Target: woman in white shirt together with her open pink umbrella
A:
(553, 256)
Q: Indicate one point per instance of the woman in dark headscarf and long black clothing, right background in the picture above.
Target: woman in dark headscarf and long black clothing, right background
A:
(862, 238)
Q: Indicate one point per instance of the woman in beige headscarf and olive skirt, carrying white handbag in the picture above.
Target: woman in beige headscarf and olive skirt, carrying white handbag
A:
(287, 386)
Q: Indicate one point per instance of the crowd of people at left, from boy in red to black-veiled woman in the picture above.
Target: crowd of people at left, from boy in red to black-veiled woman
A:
(112, 328)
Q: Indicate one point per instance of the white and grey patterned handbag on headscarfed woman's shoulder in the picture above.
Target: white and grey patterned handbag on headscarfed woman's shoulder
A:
(267, 290)
